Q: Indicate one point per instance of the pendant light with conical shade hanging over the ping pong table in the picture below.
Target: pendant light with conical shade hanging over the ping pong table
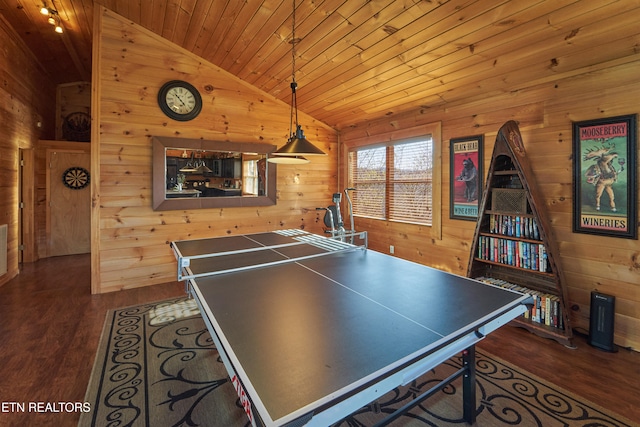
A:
(297, 146)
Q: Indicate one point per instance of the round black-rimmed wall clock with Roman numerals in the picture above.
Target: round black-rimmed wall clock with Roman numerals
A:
(180, 100)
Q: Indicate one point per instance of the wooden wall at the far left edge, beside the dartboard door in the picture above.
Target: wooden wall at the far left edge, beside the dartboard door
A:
(27, 98)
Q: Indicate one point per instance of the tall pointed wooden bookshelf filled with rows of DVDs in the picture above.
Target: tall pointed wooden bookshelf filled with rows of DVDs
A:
(513, 245)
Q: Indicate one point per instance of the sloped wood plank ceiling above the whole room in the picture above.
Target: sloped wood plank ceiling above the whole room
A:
(357, 60)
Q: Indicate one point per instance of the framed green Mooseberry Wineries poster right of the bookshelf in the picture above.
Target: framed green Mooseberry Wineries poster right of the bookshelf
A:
(604, 177)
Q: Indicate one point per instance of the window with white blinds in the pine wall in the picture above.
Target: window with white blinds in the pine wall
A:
(394, 182)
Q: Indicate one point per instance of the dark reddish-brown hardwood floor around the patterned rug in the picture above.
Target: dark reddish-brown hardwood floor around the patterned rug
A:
(50, 326)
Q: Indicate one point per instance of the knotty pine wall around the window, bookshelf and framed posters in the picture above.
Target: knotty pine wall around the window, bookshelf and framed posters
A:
(545, 112)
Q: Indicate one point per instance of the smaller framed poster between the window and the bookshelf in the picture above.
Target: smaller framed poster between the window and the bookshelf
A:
(466, 177)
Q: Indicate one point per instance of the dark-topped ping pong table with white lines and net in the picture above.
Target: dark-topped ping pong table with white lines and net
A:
(311, 329)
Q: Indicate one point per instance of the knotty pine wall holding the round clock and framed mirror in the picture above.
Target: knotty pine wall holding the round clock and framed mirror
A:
(130, 240)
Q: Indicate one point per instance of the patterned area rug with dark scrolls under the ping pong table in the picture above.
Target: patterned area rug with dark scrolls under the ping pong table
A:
(157, 366)
